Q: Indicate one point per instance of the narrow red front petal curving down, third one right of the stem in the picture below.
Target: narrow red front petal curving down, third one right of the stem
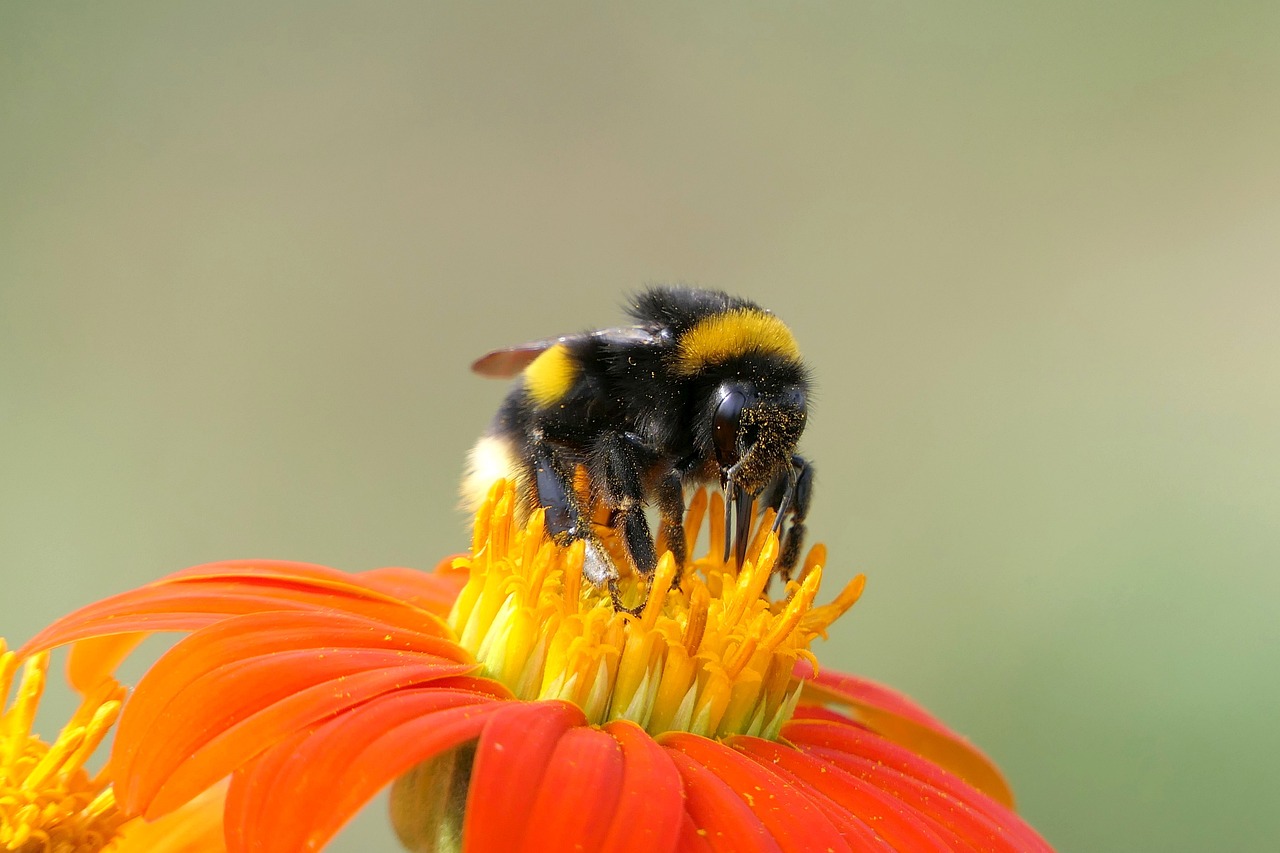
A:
(652, 799)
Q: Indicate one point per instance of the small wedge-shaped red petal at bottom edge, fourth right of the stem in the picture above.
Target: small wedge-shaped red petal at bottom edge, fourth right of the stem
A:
(717, 814)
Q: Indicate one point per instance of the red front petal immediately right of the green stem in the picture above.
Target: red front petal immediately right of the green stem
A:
(511, 758)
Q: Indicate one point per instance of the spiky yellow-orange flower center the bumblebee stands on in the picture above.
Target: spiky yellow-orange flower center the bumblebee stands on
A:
(714, 656)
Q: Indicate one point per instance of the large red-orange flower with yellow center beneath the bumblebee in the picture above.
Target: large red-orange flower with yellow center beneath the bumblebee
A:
(520, 711)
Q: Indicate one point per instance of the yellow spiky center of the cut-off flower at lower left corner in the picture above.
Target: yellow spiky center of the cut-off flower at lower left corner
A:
(48, 801)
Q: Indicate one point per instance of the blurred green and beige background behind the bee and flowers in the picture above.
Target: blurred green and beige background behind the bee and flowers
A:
(248, 253)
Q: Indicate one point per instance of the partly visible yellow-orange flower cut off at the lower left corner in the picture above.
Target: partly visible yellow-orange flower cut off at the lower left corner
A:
(49, 801)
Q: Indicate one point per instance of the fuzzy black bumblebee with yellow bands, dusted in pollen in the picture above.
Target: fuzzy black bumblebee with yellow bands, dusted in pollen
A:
(703, 389)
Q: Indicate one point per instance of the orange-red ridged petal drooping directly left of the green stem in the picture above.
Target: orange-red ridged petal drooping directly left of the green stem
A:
(298, 795)
